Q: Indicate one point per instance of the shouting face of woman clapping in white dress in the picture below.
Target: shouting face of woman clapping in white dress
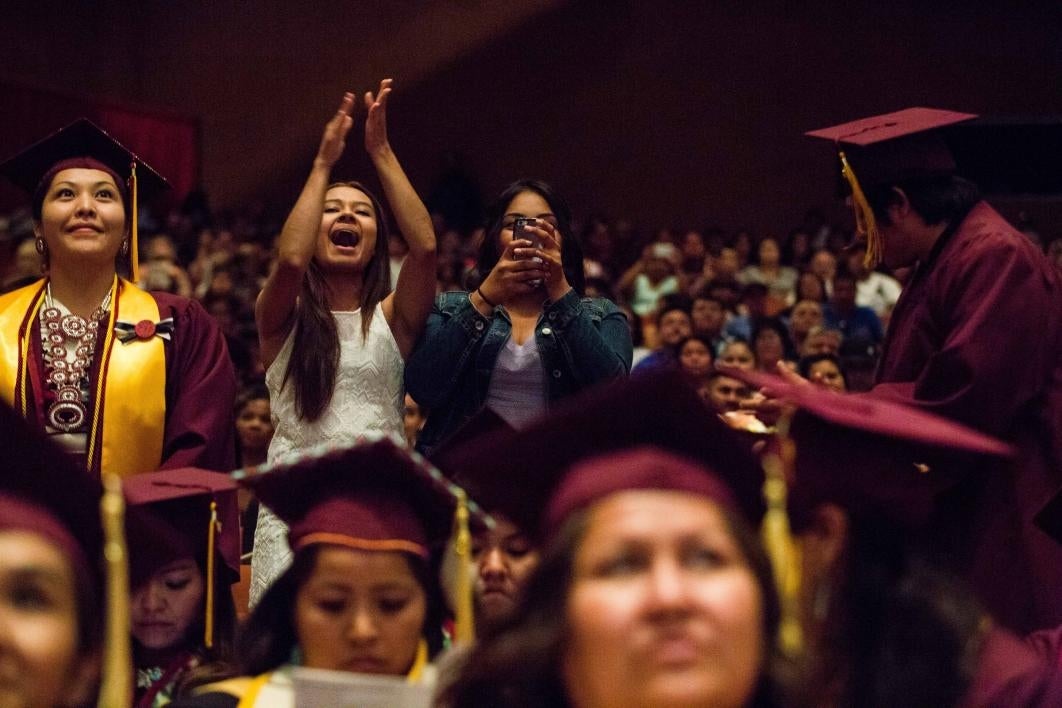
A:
(348, 236)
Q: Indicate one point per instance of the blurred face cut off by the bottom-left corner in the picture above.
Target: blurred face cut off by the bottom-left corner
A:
(40, 661)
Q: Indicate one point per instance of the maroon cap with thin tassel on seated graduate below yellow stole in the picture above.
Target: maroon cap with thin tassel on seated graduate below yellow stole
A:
(184, 513)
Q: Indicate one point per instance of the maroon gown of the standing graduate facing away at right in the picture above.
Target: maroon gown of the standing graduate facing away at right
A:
(977, 337)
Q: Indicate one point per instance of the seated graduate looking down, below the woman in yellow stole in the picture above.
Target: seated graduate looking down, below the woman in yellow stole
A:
(184, 559)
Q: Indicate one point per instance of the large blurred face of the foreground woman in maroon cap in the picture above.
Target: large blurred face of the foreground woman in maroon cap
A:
(664, 609)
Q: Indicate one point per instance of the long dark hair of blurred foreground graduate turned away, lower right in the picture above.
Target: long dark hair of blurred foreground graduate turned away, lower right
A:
(899, 630)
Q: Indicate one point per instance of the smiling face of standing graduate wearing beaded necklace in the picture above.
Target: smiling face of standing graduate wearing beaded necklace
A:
(83, 218)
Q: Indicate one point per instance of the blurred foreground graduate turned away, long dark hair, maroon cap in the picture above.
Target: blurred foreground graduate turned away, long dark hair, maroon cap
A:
(882, 620)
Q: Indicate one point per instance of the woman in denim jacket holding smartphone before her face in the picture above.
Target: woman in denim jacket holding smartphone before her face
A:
(525, 337)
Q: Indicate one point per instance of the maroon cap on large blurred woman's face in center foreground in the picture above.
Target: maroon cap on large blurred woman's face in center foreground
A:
(538, 476)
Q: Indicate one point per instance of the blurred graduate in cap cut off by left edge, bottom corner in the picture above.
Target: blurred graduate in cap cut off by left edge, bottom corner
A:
(52, 586)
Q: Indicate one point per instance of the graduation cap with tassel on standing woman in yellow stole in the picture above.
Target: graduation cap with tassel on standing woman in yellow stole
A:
(84, 145)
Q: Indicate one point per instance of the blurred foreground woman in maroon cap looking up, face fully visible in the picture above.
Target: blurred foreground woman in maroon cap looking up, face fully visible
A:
(653, 589)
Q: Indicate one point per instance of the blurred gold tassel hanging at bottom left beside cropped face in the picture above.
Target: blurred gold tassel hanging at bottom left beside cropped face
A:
(116, 686)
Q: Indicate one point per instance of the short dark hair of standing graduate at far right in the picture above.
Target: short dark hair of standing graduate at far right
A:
(937, 199)
